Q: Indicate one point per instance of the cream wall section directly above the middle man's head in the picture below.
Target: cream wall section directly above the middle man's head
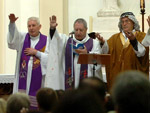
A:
(82, 9)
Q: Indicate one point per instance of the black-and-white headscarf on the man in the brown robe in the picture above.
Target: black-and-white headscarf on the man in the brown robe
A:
(133, 19)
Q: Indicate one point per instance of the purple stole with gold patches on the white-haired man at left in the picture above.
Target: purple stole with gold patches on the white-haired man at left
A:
(36, 77)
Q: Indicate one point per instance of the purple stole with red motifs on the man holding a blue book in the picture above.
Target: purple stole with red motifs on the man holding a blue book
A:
(84, 67)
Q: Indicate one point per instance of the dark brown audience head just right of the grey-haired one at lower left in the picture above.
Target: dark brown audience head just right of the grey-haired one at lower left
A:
(47, 99)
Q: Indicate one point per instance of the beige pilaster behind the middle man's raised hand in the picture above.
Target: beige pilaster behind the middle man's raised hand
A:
(49, 8)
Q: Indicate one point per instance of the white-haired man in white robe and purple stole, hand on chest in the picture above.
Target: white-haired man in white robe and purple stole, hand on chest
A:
(32, 53)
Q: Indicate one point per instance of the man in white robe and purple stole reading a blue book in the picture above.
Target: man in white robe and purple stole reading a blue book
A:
(63, 71)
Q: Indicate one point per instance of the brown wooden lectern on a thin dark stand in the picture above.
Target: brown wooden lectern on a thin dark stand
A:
(103, 59)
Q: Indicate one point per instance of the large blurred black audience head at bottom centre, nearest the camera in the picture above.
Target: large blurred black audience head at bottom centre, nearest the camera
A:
(80, 101)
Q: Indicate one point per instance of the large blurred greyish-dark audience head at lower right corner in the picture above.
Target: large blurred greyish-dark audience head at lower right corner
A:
(131, 92)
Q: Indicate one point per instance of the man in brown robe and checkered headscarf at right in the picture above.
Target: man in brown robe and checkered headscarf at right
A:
(127, 52)
